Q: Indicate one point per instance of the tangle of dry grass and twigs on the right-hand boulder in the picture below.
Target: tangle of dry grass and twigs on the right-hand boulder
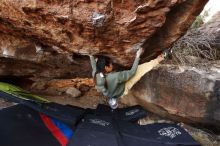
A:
(193, 46)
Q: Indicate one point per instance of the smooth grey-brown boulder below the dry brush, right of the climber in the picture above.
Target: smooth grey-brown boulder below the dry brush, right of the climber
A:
(183, 94)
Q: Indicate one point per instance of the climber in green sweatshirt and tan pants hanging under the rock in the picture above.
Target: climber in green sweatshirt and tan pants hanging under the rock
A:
(117, 84)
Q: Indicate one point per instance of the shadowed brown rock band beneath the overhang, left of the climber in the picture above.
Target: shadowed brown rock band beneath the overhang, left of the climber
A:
(19, 57)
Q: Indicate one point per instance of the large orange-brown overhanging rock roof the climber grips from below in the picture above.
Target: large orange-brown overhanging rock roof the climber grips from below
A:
(105, 27)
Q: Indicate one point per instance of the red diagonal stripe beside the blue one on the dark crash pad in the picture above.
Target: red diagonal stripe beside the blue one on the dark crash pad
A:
(54, 130)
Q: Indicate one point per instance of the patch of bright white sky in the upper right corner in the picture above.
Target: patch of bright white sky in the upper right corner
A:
(213, 6)
